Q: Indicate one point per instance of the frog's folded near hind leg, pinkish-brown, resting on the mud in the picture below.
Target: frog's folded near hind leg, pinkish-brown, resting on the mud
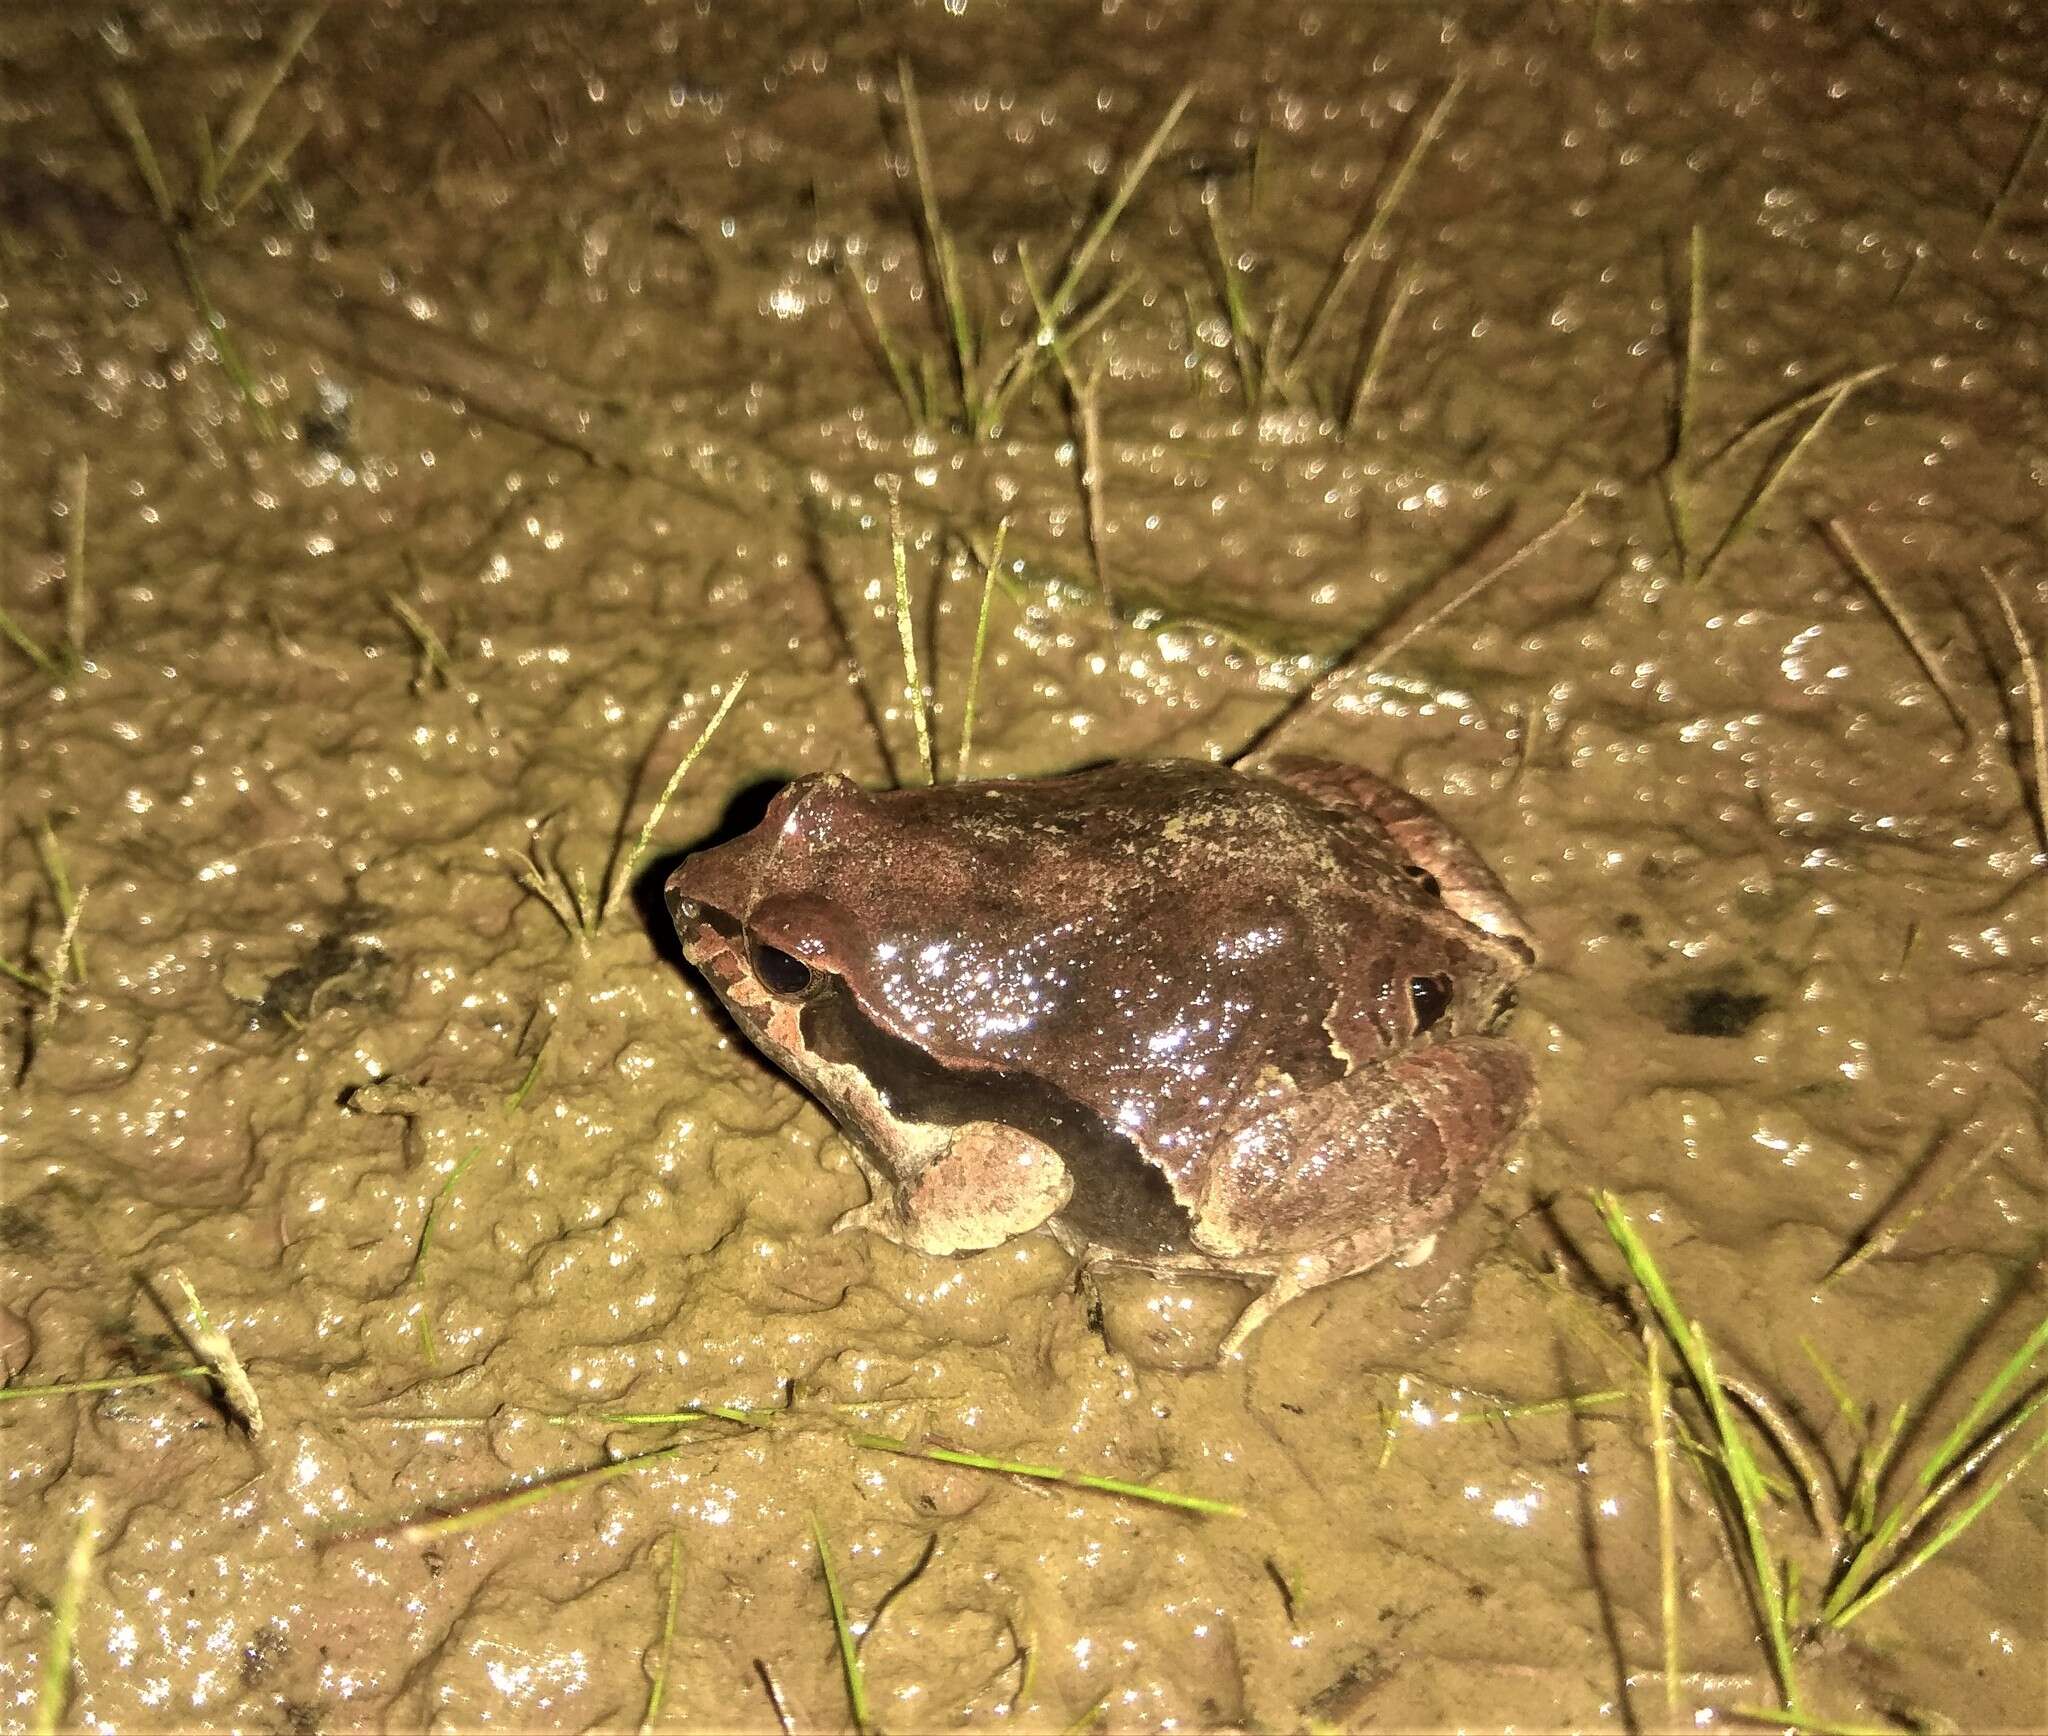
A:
(1367, 1164)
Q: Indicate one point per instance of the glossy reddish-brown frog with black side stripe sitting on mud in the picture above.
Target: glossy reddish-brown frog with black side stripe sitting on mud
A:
(1179, 1014)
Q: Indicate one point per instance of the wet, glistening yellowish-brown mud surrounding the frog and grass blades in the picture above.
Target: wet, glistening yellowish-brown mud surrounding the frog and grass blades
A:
(558, 329)
